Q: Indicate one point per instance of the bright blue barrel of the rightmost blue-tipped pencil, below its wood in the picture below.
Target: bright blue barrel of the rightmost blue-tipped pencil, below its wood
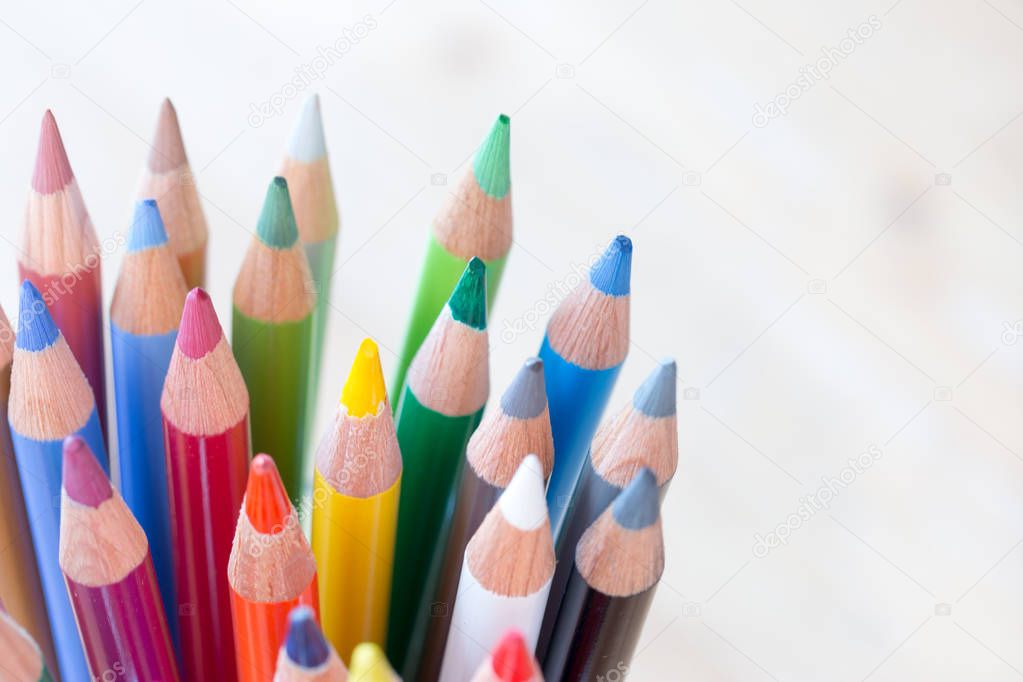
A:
(576, 398)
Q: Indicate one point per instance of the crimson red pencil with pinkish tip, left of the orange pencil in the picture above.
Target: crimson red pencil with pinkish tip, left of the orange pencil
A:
(205, 410)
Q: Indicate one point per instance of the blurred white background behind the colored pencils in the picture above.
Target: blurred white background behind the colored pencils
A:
(842, 277)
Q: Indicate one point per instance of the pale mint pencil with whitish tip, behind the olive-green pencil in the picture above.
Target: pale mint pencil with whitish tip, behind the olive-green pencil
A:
(308, 173)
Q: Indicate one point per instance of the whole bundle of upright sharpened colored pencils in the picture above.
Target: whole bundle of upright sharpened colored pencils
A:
(446, 541)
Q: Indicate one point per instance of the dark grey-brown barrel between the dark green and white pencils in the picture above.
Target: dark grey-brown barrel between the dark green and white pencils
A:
(474, 499)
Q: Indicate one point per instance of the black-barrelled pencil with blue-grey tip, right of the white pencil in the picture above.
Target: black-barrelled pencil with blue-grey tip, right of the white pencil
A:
(618, 565)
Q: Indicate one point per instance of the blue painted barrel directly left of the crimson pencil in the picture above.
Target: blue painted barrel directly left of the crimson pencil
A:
(140, 369)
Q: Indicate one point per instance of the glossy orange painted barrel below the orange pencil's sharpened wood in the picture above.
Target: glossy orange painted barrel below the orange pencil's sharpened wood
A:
(260, 630)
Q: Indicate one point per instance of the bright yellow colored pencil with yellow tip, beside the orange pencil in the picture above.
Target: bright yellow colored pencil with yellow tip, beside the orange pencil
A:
(358, 477)
